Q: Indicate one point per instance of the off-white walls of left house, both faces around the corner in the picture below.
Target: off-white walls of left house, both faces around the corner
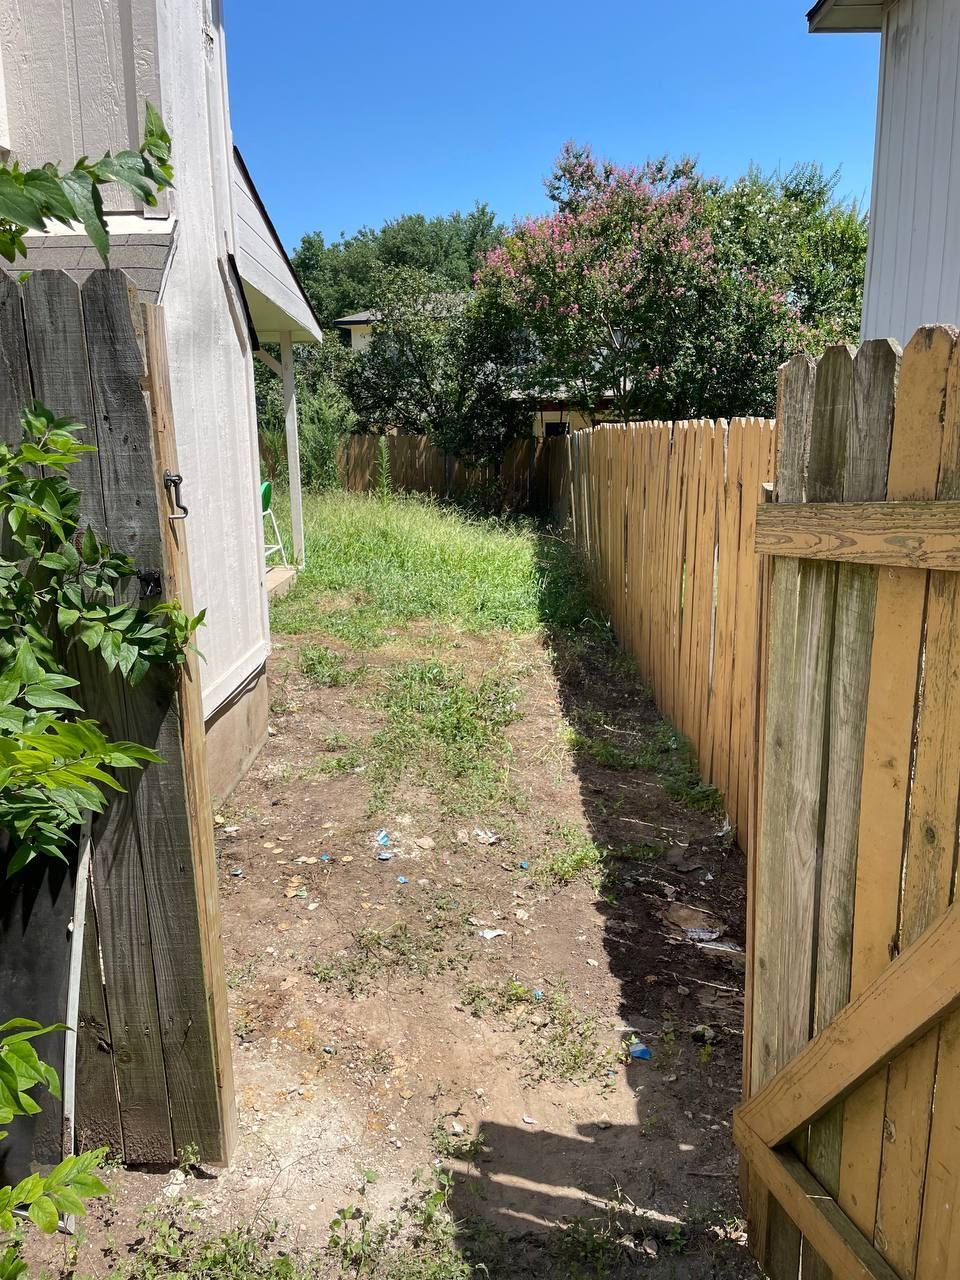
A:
(104, 61)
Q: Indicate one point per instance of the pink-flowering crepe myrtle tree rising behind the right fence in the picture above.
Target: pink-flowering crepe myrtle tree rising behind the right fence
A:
(629, 296)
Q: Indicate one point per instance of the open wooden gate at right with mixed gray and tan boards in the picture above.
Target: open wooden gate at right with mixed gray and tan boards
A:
(851, 1132)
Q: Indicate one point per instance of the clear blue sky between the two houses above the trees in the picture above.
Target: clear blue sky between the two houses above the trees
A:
(353, 113)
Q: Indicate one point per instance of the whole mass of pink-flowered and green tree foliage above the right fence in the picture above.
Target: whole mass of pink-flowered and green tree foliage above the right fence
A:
(675, 296)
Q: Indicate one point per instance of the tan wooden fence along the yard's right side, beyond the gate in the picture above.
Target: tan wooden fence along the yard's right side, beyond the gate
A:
(664, 515)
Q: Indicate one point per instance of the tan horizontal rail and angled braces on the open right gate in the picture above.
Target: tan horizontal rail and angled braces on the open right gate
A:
(921, 986)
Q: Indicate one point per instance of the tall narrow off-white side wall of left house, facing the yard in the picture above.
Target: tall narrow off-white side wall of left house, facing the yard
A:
(211, 359)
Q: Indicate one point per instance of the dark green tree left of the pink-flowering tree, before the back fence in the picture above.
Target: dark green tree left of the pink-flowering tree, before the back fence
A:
(441, 363)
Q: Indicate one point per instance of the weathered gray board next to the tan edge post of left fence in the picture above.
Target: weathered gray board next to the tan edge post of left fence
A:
(167, 881)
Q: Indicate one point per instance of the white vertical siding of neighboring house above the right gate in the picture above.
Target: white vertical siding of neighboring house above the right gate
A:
(913, 275)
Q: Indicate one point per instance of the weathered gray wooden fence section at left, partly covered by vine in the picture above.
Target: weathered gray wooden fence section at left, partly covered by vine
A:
(153, 1040)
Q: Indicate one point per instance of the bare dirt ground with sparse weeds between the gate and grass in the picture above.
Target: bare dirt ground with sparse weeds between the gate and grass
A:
(380, 1032)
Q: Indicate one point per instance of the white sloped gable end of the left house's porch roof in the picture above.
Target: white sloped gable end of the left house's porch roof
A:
(275, 296)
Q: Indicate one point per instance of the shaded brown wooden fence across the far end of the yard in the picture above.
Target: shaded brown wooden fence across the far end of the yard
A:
(418, 467)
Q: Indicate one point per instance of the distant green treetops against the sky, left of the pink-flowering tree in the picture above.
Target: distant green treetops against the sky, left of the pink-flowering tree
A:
(340, 277)
